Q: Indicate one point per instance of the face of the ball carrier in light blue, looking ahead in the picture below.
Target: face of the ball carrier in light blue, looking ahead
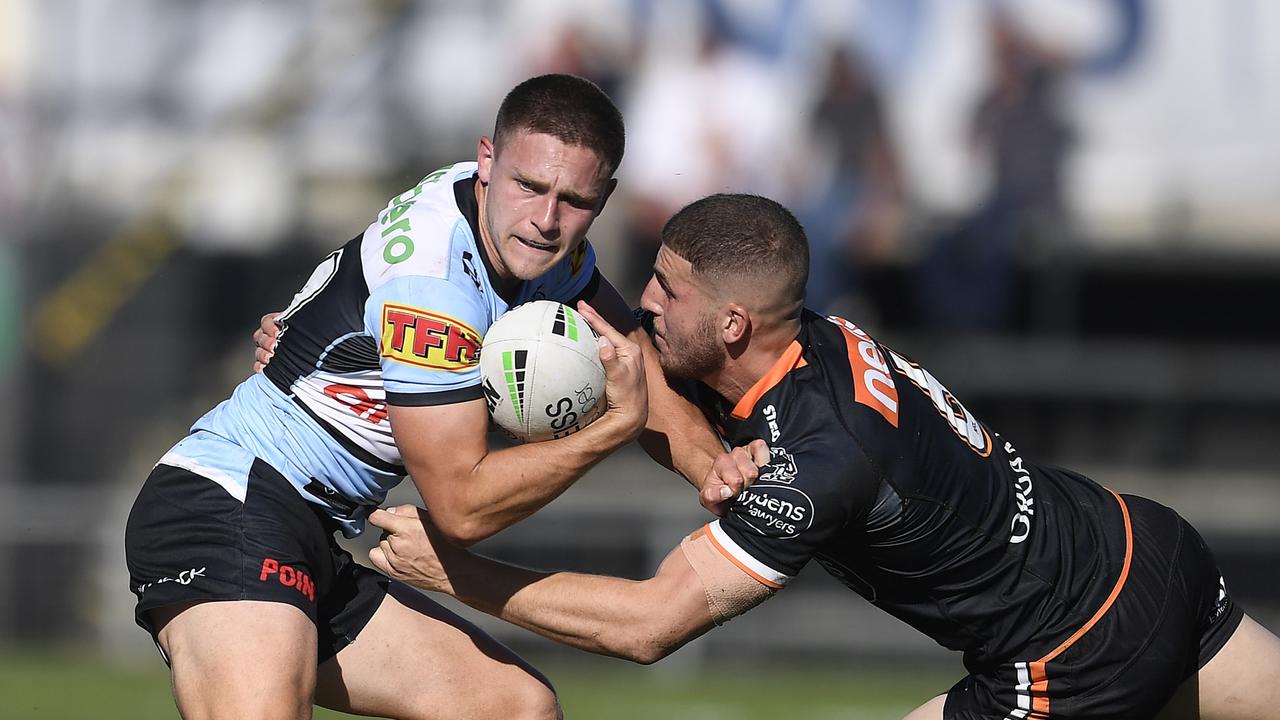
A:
(538, 200)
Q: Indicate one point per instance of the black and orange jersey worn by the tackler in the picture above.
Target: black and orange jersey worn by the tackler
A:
(894, 487)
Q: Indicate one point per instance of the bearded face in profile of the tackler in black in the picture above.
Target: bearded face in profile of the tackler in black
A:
(687, 320)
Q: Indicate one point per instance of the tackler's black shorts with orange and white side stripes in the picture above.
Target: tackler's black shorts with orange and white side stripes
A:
(1171, 616)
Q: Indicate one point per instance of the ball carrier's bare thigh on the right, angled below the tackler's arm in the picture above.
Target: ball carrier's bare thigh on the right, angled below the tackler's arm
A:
(417, 659)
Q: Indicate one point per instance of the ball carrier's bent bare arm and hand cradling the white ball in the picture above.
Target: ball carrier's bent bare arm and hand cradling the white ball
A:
(474, 491)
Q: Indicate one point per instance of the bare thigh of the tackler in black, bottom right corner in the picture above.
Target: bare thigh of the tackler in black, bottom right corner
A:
(1242, 682)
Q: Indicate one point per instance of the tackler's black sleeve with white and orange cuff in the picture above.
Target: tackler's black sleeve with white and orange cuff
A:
(807, 495)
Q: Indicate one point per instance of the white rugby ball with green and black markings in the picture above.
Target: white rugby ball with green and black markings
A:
(542, 372)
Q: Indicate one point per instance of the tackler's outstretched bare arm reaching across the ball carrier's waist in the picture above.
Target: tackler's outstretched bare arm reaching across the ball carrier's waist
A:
(694, 589)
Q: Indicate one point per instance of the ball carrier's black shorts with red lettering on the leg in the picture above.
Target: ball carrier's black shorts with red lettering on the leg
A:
(190, 540)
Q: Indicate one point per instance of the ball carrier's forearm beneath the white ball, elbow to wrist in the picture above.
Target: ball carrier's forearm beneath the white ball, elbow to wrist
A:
(509, 485)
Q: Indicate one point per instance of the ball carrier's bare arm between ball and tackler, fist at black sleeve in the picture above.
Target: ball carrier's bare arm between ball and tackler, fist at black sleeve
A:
(676, 435)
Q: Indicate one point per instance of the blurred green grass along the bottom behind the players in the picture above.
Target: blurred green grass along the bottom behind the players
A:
(74, 687)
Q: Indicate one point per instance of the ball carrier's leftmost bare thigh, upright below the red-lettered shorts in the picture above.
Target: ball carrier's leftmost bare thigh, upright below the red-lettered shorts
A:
(239, 659)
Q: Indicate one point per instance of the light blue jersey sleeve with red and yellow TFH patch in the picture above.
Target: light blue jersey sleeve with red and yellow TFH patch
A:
(428, 332)
